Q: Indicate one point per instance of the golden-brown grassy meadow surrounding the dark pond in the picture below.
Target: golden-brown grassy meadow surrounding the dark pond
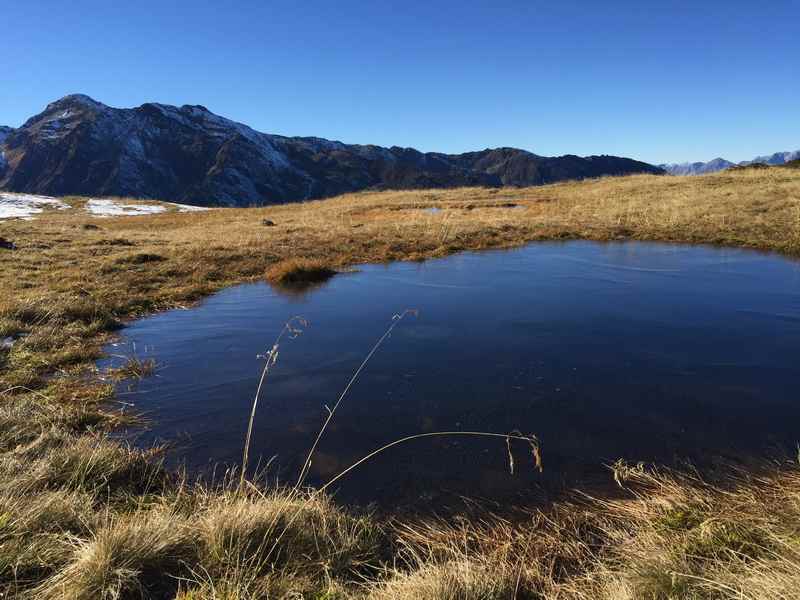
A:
(83, 516)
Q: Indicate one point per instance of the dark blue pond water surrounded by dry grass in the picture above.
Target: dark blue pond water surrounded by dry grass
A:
(604, 351)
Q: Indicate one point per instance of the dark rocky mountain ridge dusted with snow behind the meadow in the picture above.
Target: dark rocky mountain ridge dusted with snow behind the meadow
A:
(188, 154)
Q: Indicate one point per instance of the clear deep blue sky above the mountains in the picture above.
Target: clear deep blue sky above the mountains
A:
(658, 81)
